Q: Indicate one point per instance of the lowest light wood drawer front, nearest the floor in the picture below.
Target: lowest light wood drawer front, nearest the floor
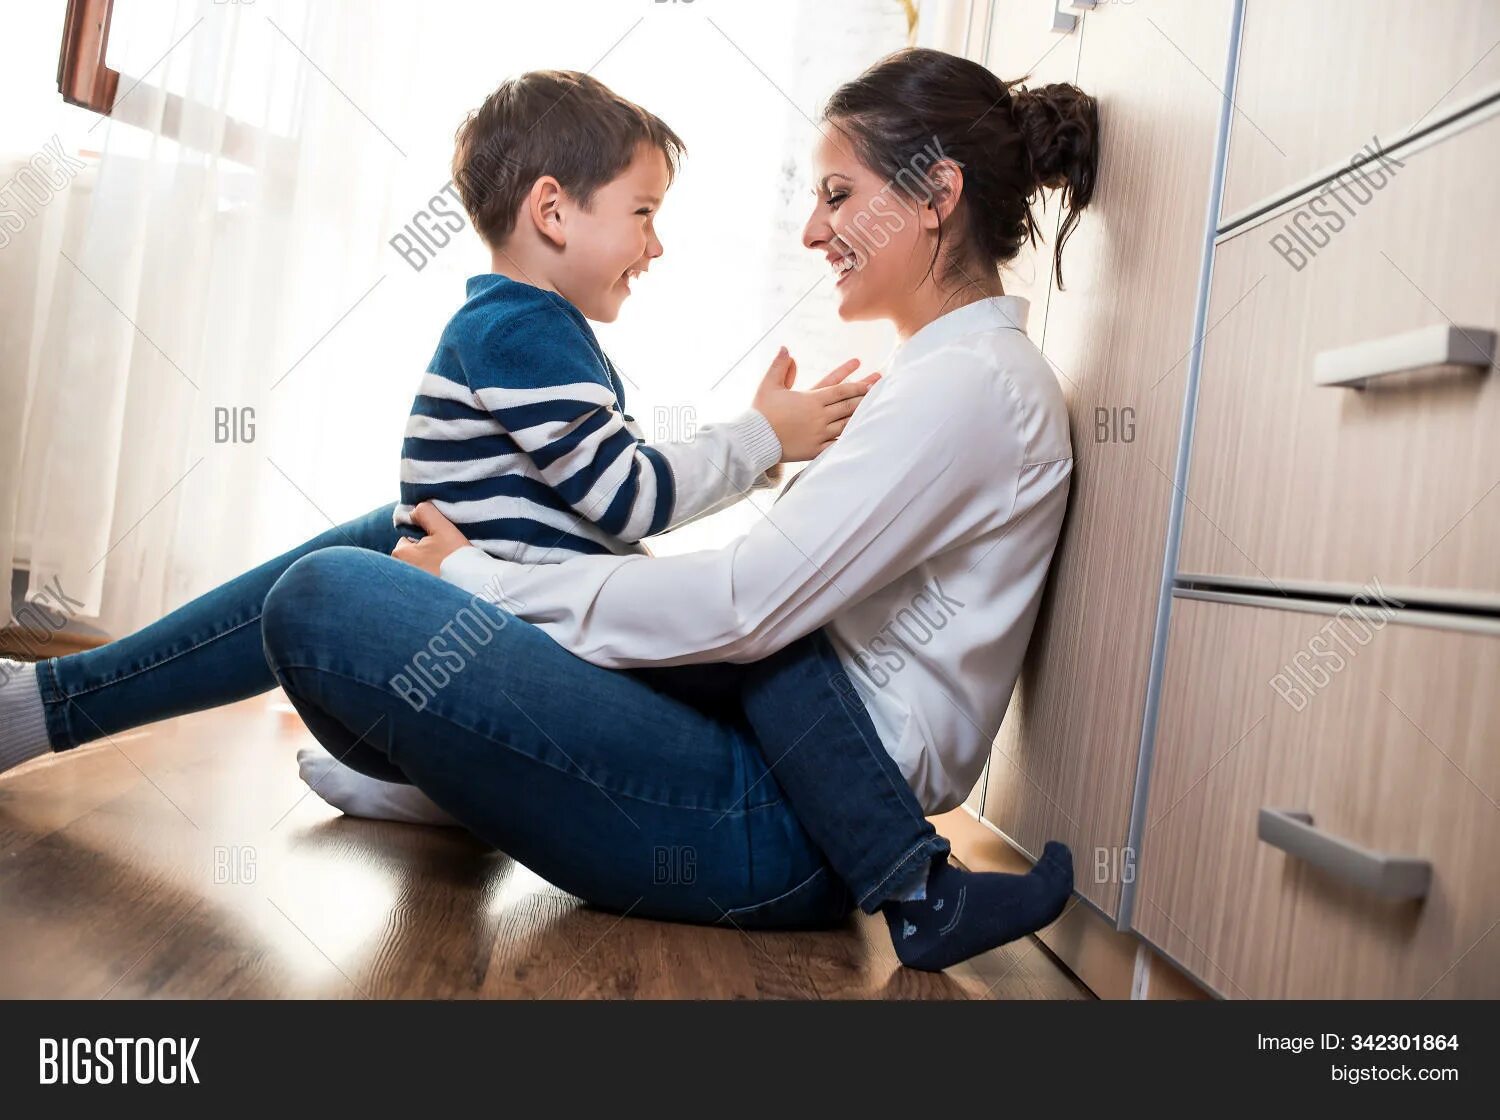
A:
(1393, 747)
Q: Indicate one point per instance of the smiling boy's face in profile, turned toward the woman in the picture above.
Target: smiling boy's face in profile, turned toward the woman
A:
(614, 239)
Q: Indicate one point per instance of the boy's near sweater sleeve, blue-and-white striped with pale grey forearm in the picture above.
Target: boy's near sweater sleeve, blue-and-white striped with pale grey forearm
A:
(562, 412)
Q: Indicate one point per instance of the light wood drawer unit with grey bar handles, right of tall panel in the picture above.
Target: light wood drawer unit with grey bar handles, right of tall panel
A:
(1307, 761)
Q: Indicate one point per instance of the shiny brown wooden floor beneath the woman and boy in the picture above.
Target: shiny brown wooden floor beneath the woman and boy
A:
(188, 861)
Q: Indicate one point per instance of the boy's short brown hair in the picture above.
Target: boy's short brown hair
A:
(557, 124)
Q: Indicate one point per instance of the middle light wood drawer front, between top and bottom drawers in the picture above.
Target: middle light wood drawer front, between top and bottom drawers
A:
(1399, 482)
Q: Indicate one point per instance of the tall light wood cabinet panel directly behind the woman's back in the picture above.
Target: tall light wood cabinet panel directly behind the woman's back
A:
(1118, 337)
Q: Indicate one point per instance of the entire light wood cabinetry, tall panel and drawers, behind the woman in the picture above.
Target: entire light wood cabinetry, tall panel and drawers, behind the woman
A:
(1297, 494)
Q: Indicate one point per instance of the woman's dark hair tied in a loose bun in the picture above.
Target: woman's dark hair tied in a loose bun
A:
(925, 106)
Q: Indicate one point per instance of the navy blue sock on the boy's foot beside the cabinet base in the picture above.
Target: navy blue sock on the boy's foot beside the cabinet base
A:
(970, 912)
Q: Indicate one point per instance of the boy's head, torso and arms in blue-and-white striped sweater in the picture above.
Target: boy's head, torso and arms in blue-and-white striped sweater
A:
(520, 433)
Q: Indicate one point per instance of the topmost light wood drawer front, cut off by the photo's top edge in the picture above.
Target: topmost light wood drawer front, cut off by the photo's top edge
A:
(1319, 80)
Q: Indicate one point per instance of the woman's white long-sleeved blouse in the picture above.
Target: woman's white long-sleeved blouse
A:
(922, 542)
